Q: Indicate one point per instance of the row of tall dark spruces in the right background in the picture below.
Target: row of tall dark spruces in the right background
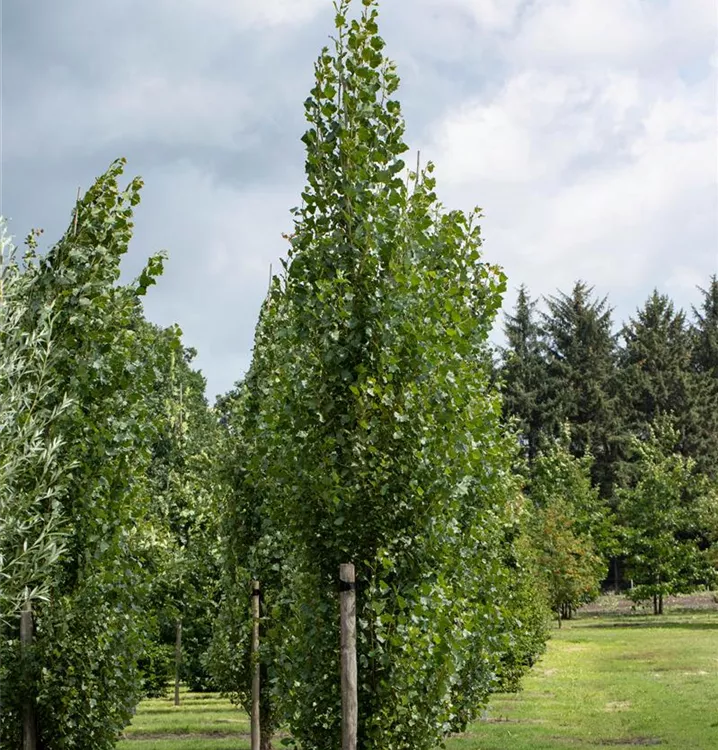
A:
(607, 396)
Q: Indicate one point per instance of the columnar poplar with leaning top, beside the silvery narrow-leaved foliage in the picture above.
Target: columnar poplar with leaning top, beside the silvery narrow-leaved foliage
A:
(84, 679)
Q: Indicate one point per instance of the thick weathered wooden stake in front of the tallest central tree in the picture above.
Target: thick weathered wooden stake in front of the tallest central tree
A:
(350, 706)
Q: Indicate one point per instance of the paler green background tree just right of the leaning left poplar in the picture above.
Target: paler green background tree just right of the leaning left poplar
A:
(183, 550)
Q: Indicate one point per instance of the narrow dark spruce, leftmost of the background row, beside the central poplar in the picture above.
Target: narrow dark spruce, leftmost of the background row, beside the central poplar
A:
(523, 373)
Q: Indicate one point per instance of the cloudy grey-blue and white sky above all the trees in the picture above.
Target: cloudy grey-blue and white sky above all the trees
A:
(586, 130)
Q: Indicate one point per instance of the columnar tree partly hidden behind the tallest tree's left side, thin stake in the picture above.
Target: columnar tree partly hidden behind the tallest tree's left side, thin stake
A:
(254, 548)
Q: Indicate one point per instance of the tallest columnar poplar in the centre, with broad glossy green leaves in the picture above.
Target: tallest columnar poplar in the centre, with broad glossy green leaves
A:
(379, 437)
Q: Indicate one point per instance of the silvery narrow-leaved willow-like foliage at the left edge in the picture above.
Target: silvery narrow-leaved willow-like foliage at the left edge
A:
(32, 478)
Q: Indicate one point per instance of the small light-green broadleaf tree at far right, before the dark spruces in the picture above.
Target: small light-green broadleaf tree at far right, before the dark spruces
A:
(663, 519)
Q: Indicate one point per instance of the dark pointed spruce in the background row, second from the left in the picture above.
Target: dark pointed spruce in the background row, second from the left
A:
(581, 360)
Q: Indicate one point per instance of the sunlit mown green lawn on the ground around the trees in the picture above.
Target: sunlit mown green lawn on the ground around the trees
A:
(609, 679)
